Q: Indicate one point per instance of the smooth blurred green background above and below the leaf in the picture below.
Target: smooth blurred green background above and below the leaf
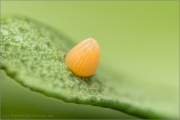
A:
(138, 38)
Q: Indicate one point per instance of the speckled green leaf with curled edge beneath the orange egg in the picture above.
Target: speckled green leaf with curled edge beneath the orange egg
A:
(33, 54)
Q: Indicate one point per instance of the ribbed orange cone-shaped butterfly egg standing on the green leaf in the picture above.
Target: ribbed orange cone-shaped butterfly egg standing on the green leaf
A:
(83, 59)
